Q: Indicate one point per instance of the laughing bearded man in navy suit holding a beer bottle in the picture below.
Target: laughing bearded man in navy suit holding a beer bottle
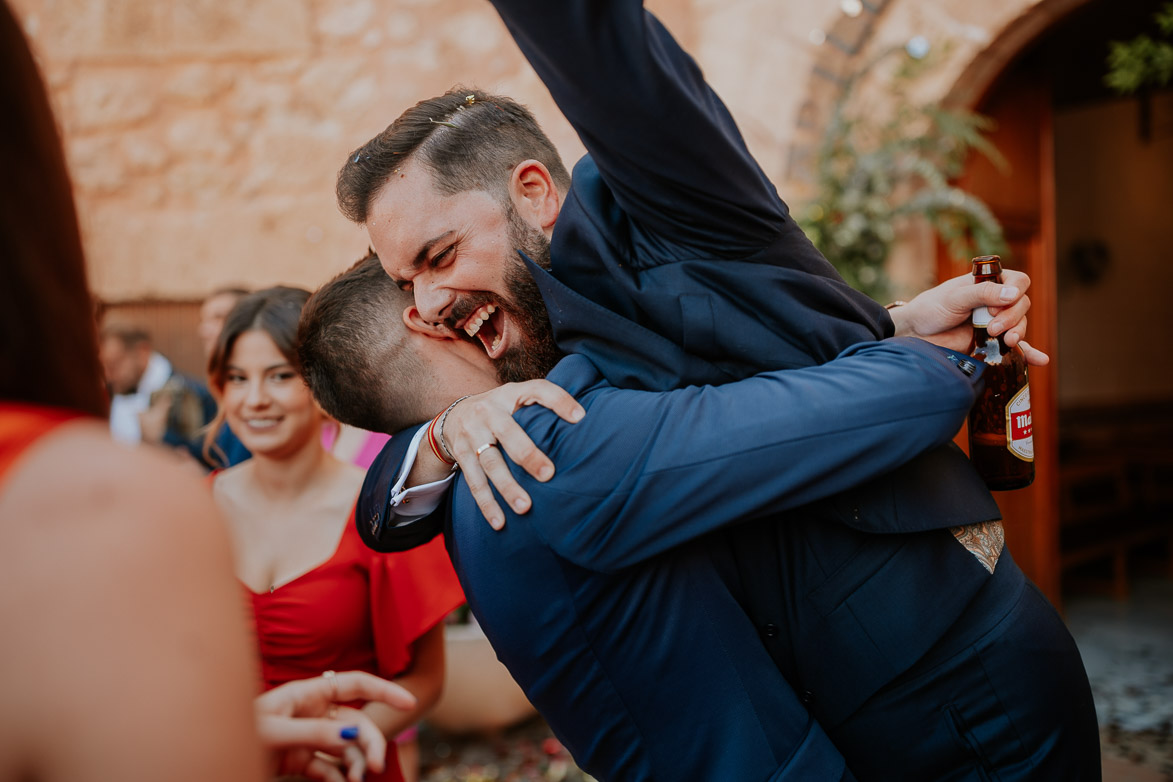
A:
(674, 263)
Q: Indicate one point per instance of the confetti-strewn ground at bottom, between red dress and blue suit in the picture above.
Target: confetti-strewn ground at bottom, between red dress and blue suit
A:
(525, 753)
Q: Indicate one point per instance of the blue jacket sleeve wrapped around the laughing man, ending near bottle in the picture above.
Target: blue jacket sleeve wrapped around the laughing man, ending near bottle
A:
(647, 472)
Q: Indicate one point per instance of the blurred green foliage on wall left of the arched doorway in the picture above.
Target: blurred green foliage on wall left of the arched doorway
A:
(876, 173)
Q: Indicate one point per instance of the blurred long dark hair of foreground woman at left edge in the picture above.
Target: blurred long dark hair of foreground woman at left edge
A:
(49, 355)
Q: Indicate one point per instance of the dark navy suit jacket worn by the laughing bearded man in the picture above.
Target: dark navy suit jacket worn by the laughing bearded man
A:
(675, 262)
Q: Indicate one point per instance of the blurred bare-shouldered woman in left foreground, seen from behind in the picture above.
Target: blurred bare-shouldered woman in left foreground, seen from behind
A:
(114, 615)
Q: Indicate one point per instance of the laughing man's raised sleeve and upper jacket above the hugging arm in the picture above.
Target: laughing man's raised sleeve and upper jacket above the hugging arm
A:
(670, 223)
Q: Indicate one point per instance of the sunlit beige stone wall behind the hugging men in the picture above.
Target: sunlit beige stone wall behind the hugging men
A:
(205, 137)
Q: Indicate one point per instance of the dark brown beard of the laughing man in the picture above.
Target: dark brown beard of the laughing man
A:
(537, 352)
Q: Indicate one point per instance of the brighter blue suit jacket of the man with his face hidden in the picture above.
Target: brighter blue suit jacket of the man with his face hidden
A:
(606, 601)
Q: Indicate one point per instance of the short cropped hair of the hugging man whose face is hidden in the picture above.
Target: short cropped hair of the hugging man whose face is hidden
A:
(356, 353)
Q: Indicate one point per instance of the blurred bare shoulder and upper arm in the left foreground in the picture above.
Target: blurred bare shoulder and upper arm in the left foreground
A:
(121, 563)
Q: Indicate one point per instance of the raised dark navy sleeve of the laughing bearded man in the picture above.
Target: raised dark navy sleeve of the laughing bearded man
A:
(663, 141)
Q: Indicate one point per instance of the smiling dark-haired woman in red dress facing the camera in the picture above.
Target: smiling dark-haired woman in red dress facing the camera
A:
(321, 599)
